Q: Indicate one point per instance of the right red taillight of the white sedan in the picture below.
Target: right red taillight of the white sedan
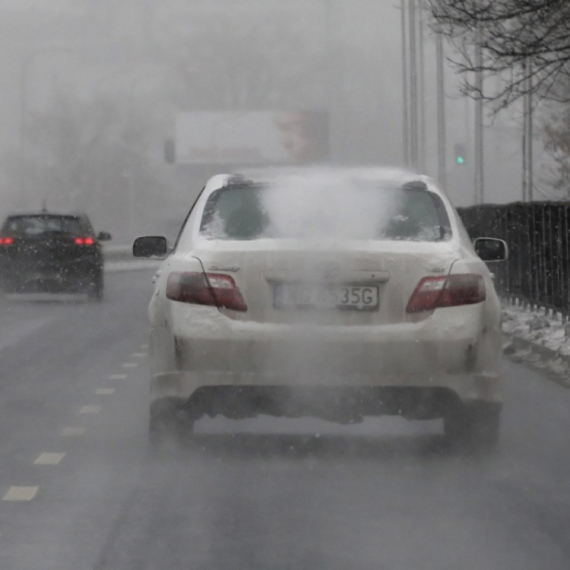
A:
(451, 291)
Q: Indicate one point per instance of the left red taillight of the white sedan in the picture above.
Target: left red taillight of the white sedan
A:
(205, 289)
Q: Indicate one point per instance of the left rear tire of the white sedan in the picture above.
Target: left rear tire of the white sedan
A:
(169, 423)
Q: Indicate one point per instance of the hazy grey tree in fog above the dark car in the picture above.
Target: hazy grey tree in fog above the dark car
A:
(89, 156)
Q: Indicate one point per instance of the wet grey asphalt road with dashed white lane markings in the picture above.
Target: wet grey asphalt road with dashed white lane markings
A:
(80, 490)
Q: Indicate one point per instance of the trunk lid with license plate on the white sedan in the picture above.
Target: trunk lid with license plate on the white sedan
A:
(354, 283)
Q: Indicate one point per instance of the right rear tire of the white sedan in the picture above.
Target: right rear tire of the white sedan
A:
(475, 427)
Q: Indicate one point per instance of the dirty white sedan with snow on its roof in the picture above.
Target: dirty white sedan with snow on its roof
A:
(336, 294)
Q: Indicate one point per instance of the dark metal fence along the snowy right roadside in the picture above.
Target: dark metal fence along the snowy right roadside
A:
(538, 270)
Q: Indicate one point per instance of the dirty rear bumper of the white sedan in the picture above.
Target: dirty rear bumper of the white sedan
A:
(456, 350)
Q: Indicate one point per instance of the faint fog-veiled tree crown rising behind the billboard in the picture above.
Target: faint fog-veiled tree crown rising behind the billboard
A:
(261, 64)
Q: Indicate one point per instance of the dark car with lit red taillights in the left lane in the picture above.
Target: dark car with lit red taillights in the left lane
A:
(48, 252)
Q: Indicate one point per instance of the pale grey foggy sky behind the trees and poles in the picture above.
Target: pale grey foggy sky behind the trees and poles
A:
(71, 46)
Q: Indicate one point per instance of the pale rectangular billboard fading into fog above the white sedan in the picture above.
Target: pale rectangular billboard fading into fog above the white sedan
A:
(251, 137)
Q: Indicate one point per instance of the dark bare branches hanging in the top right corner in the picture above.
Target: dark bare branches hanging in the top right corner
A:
(526, 44)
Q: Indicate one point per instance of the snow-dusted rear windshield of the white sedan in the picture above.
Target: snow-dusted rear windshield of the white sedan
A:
(247, 212)
